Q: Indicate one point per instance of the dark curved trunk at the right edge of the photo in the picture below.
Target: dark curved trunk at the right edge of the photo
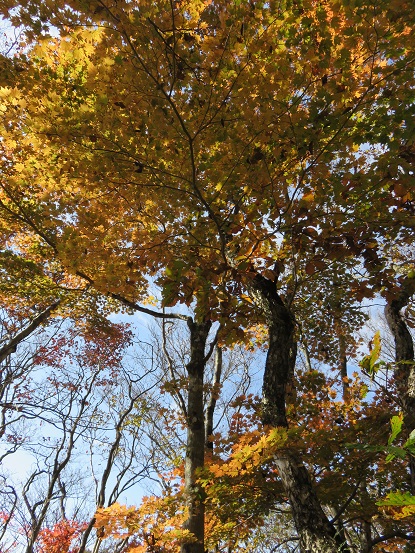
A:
(404, 357)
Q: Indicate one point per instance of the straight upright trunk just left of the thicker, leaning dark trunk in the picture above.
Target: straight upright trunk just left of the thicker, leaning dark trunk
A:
(195, 436)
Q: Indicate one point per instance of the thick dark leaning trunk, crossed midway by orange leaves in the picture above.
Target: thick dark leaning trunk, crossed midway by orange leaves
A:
(316, 533)
